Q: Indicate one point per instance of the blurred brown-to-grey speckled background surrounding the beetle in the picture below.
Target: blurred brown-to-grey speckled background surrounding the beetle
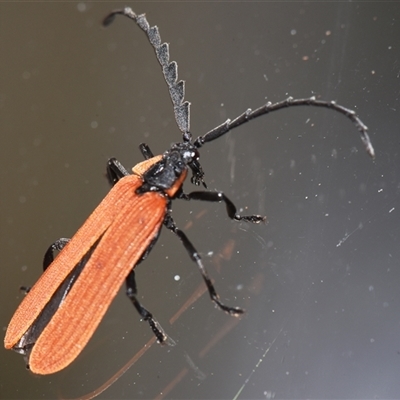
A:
(320, 281)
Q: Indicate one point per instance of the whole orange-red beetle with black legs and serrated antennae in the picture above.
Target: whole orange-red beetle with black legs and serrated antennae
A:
(60, 313)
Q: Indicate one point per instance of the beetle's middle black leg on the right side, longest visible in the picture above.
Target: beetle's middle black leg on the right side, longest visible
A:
(194, 255)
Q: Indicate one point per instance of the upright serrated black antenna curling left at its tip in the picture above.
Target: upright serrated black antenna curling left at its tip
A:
(170, 69)
